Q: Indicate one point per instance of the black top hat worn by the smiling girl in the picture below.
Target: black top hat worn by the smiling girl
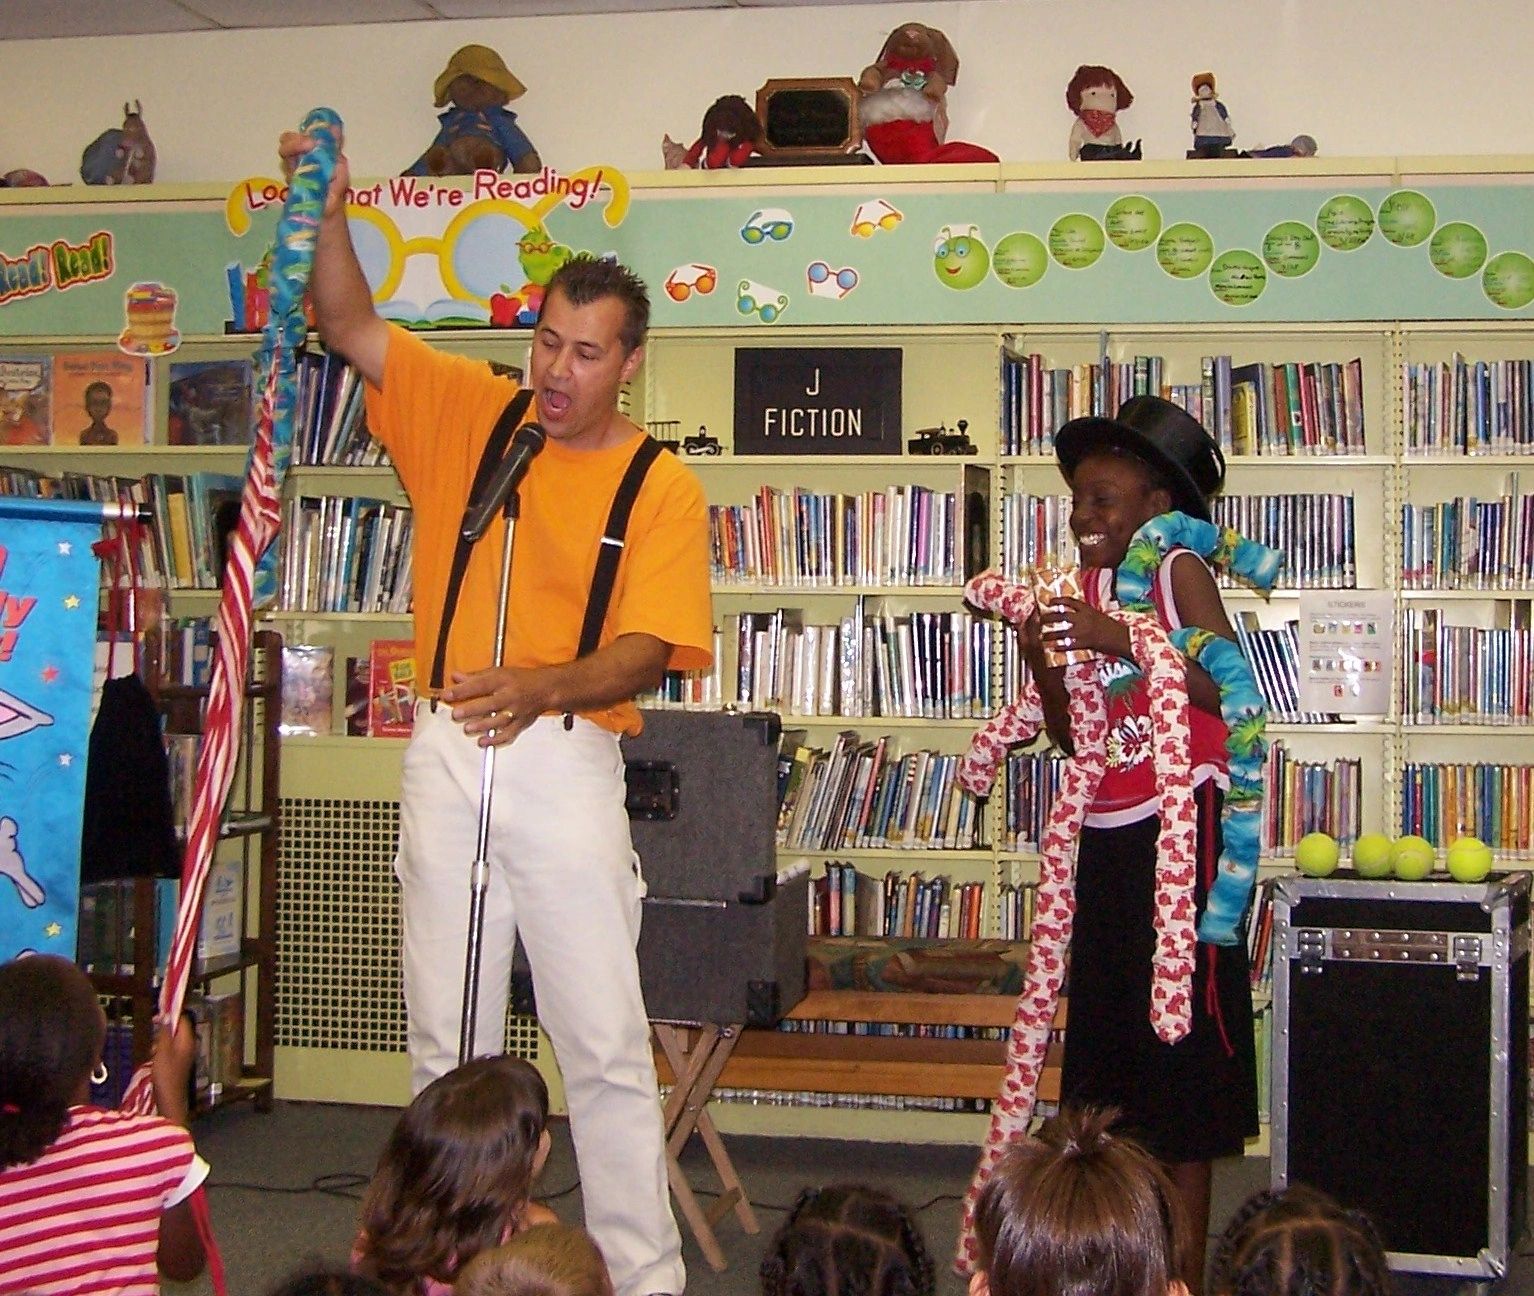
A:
(1160, 435)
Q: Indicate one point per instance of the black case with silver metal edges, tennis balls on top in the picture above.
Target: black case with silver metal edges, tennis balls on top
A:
(1401, 1031)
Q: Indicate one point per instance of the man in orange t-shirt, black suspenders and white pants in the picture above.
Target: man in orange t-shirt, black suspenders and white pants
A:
(564, 872)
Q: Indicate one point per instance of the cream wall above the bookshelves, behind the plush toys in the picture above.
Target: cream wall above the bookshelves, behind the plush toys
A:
(1392, 77)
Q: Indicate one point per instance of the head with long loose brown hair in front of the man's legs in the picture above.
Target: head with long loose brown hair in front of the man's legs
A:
(456, 1174)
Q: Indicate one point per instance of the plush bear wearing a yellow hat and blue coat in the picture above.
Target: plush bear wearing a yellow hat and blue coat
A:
(478, 133)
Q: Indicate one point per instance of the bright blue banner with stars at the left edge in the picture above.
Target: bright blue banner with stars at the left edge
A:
(48, 622)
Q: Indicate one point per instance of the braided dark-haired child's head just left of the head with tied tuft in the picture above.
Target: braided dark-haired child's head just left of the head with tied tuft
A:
(848, 1240)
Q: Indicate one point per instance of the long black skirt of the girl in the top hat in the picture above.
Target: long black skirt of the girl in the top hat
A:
(1194, 1100)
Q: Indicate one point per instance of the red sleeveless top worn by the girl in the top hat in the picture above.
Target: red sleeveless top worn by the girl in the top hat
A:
(1128, 792)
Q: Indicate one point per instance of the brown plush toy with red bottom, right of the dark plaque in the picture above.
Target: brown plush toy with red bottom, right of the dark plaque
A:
(904, 107)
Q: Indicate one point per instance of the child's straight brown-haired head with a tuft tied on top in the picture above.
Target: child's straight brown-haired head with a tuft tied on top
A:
(1078, 1212)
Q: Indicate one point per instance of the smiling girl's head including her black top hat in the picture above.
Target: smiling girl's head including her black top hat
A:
(1125, 472)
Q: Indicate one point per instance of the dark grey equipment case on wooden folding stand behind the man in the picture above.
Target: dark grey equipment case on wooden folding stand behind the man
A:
(722, 939)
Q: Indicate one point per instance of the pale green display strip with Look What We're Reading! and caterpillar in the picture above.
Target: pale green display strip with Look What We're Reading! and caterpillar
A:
(877, 251)
